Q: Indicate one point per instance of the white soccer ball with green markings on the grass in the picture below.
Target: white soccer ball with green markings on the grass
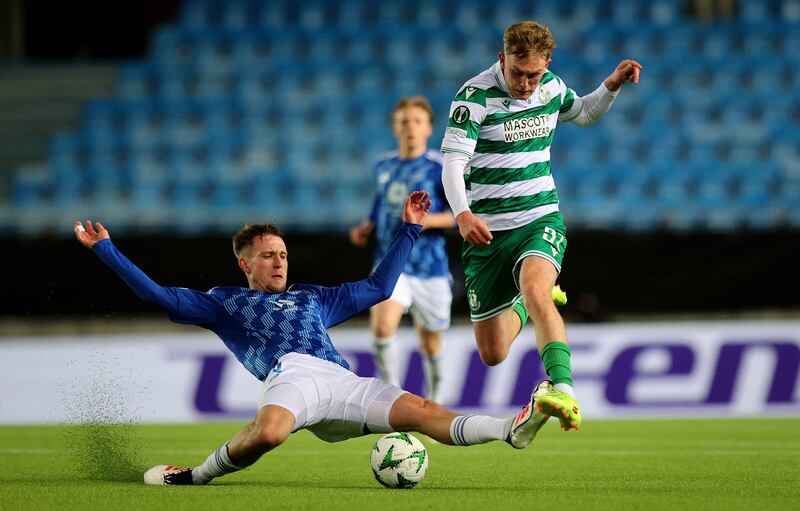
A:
(399, 460)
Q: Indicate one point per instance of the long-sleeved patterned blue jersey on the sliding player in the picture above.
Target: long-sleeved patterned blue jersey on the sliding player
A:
(260, 327)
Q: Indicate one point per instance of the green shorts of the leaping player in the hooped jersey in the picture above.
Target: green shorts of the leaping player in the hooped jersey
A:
(491, 273)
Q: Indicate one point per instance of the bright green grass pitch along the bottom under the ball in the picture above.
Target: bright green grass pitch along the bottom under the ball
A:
(655, 464)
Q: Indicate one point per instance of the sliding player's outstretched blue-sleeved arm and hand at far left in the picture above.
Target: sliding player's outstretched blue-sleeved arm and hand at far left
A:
(183, 305)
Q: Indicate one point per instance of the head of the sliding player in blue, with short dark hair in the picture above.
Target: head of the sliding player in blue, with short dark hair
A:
(267, 264)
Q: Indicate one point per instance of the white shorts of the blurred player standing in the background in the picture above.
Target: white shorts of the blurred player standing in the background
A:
(428, 300)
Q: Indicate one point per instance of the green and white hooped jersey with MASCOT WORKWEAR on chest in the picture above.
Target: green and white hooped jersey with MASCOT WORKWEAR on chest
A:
(508, 179)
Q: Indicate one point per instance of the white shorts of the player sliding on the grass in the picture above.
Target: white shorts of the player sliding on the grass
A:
(333, 403)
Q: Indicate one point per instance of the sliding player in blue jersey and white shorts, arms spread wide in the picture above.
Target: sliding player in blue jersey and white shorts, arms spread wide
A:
(279, 334)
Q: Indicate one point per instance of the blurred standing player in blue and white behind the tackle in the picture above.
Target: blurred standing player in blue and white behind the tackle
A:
(424, 285)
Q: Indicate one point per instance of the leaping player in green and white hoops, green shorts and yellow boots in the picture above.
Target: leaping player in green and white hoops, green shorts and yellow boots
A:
(498, 182)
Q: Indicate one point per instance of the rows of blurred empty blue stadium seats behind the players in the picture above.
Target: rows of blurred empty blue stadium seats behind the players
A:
(277, 109)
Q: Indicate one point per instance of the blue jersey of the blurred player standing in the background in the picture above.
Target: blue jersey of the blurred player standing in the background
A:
(395, 179)
